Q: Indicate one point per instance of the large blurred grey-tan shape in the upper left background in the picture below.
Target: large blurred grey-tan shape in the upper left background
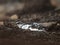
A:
(9, 6)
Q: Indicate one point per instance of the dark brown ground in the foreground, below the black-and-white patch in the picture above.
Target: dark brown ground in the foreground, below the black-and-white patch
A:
(28, 38)
